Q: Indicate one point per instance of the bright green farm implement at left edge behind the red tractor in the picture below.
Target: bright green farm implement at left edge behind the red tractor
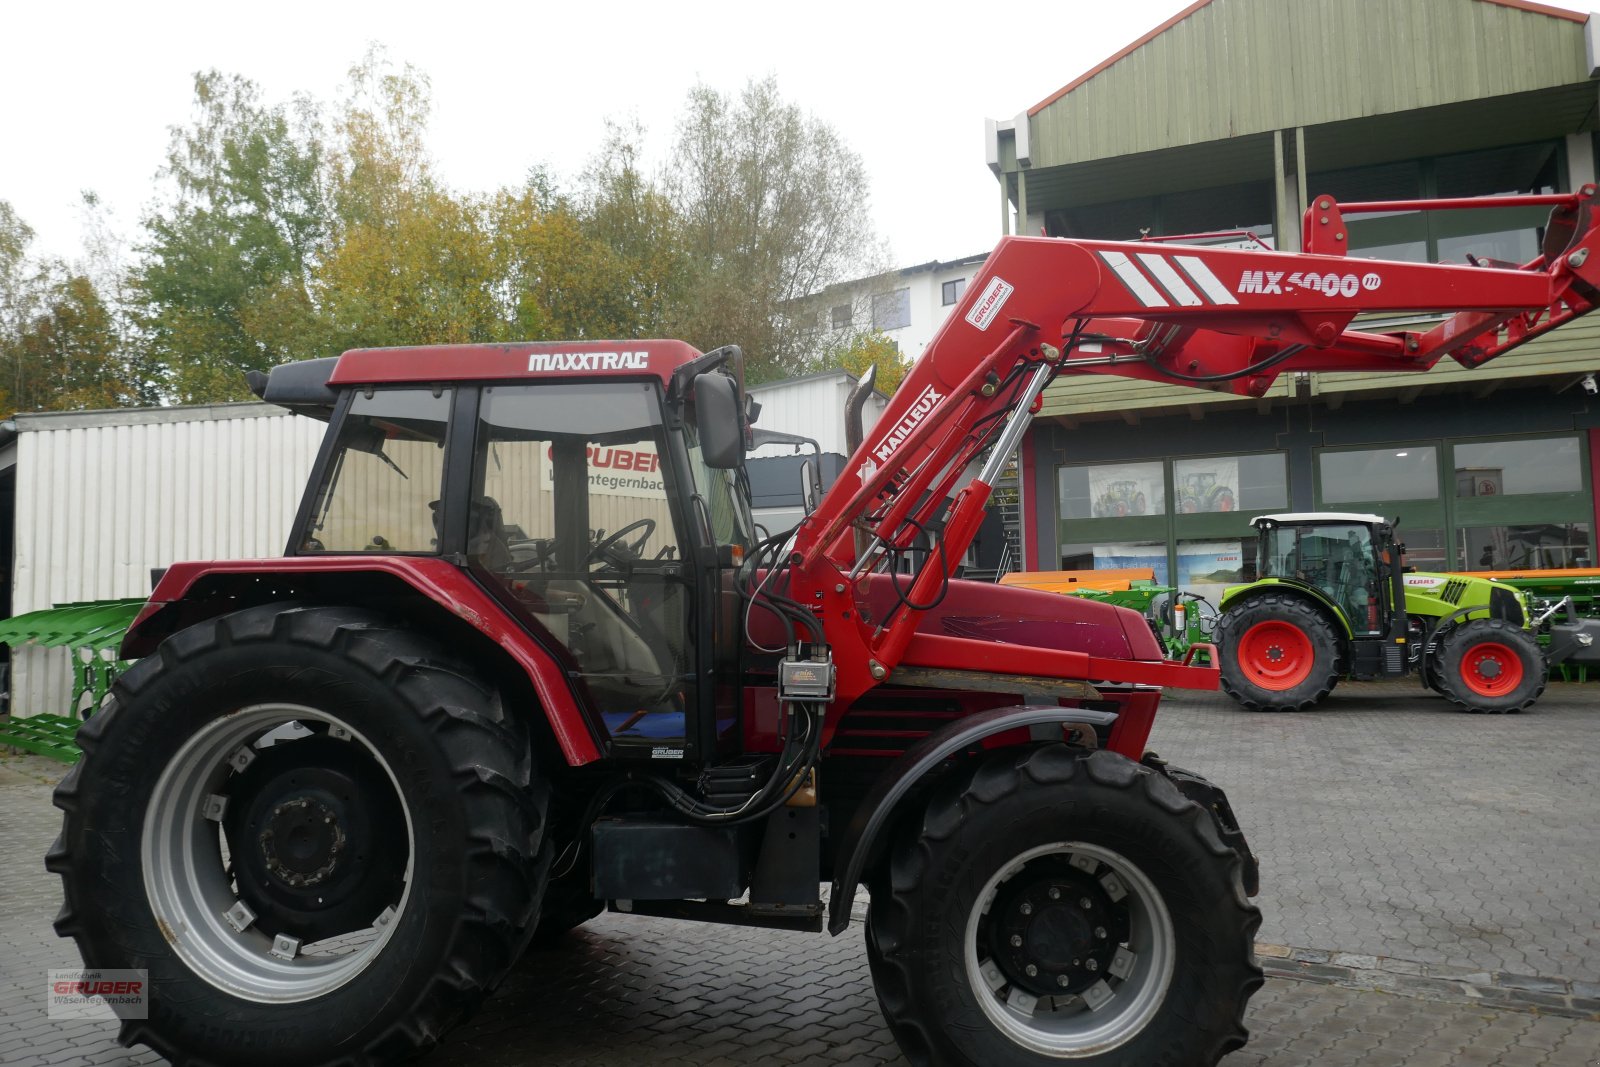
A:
(94, 634)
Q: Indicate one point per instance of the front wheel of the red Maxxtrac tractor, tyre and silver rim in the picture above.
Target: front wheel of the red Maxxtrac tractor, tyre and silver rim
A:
(1063, 906)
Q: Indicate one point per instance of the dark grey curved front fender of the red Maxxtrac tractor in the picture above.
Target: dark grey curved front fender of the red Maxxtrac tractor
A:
(879, 807)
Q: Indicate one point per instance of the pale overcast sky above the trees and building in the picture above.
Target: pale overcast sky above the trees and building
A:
(90, 90)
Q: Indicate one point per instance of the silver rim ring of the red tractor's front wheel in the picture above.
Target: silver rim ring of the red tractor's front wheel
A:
(1070, 1028)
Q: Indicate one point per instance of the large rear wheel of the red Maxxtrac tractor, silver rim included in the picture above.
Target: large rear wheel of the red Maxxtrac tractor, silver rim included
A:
(321, 837)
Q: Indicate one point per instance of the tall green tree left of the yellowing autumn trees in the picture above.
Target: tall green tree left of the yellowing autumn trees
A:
(223, 284)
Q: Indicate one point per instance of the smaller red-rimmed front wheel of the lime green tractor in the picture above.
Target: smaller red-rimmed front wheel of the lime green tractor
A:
(1490, 666)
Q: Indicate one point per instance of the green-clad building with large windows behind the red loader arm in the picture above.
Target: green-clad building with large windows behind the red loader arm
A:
(1230, 118)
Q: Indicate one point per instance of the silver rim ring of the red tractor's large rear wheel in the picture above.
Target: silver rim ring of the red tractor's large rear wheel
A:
(191, 892)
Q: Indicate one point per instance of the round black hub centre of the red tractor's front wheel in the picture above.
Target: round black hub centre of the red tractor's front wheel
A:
(1057, 930)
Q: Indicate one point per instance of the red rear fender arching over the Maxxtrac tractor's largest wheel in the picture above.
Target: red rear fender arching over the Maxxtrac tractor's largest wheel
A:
(430, 594)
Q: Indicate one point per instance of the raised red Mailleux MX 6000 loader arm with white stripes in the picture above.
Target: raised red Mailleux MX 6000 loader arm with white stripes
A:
(1209, 318)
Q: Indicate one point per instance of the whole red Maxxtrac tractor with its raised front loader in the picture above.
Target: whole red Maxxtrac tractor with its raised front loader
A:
(526, 658)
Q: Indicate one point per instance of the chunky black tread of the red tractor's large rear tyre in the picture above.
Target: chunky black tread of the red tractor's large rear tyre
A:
(505, 802)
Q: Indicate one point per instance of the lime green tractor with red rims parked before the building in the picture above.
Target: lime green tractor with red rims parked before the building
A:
(1334, 601)
